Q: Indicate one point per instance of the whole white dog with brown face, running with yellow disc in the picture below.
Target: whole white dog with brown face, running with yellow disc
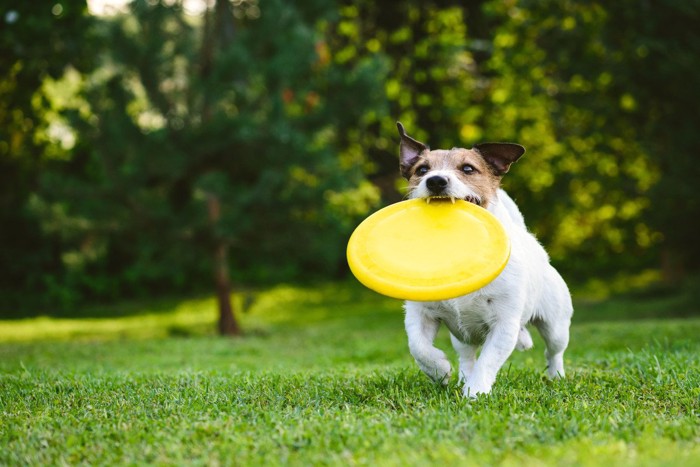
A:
(528, 290)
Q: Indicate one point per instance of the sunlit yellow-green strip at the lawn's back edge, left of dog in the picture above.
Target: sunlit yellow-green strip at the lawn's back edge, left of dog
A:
(197, 317)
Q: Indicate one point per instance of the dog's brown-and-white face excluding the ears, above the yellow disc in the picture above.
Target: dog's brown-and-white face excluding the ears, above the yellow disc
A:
(457, 173)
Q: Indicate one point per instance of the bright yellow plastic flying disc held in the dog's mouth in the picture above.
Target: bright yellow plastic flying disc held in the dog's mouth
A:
(414, 250)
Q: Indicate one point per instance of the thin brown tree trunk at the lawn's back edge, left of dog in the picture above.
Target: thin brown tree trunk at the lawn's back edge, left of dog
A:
(228, 326)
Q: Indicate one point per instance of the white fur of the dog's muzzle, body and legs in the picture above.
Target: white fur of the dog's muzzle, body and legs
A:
(529, 290)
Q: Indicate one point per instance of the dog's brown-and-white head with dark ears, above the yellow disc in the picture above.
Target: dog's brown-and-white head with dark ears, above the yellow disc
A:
(473, 175)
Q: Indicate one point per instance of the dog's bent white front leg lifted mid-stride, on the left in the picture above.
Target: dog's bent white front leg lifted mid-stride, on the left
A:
(421, 329)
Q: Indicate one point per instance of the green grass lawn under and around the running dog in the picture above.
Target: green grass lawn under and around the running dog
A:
(323, 376)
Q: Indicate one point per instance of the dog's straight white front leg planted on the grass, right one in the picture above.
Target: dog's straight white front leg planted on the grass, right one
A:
(499, 344)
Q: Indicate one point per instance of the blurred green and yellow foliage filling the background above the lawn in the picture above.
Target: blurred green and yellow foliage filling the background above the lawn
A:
(119, 134)
